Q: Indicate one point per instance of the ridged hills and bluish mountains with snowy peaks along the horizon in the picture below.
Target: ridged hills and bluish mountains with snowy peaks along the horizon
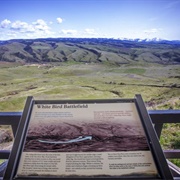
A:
(87, 50)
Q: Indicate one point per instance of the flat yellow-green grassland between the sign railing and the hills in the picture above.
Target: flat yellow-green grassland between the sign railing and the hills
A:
(158, 84)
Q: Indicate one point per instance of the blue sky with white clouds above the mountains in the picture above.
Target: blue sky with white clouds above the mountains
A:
(90, 18)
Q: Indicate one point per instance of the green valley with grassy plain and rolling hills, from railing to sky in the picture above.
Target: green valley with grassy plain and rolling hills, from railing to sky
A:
(82, 68)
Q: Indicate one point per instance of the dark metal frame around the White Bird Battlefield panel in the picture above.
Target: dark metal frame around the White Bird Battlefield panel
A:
(151, 137)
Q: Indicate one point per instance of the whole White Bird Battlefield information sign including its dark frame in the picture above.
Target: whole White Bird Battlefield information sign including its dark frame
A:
(86, 139)
